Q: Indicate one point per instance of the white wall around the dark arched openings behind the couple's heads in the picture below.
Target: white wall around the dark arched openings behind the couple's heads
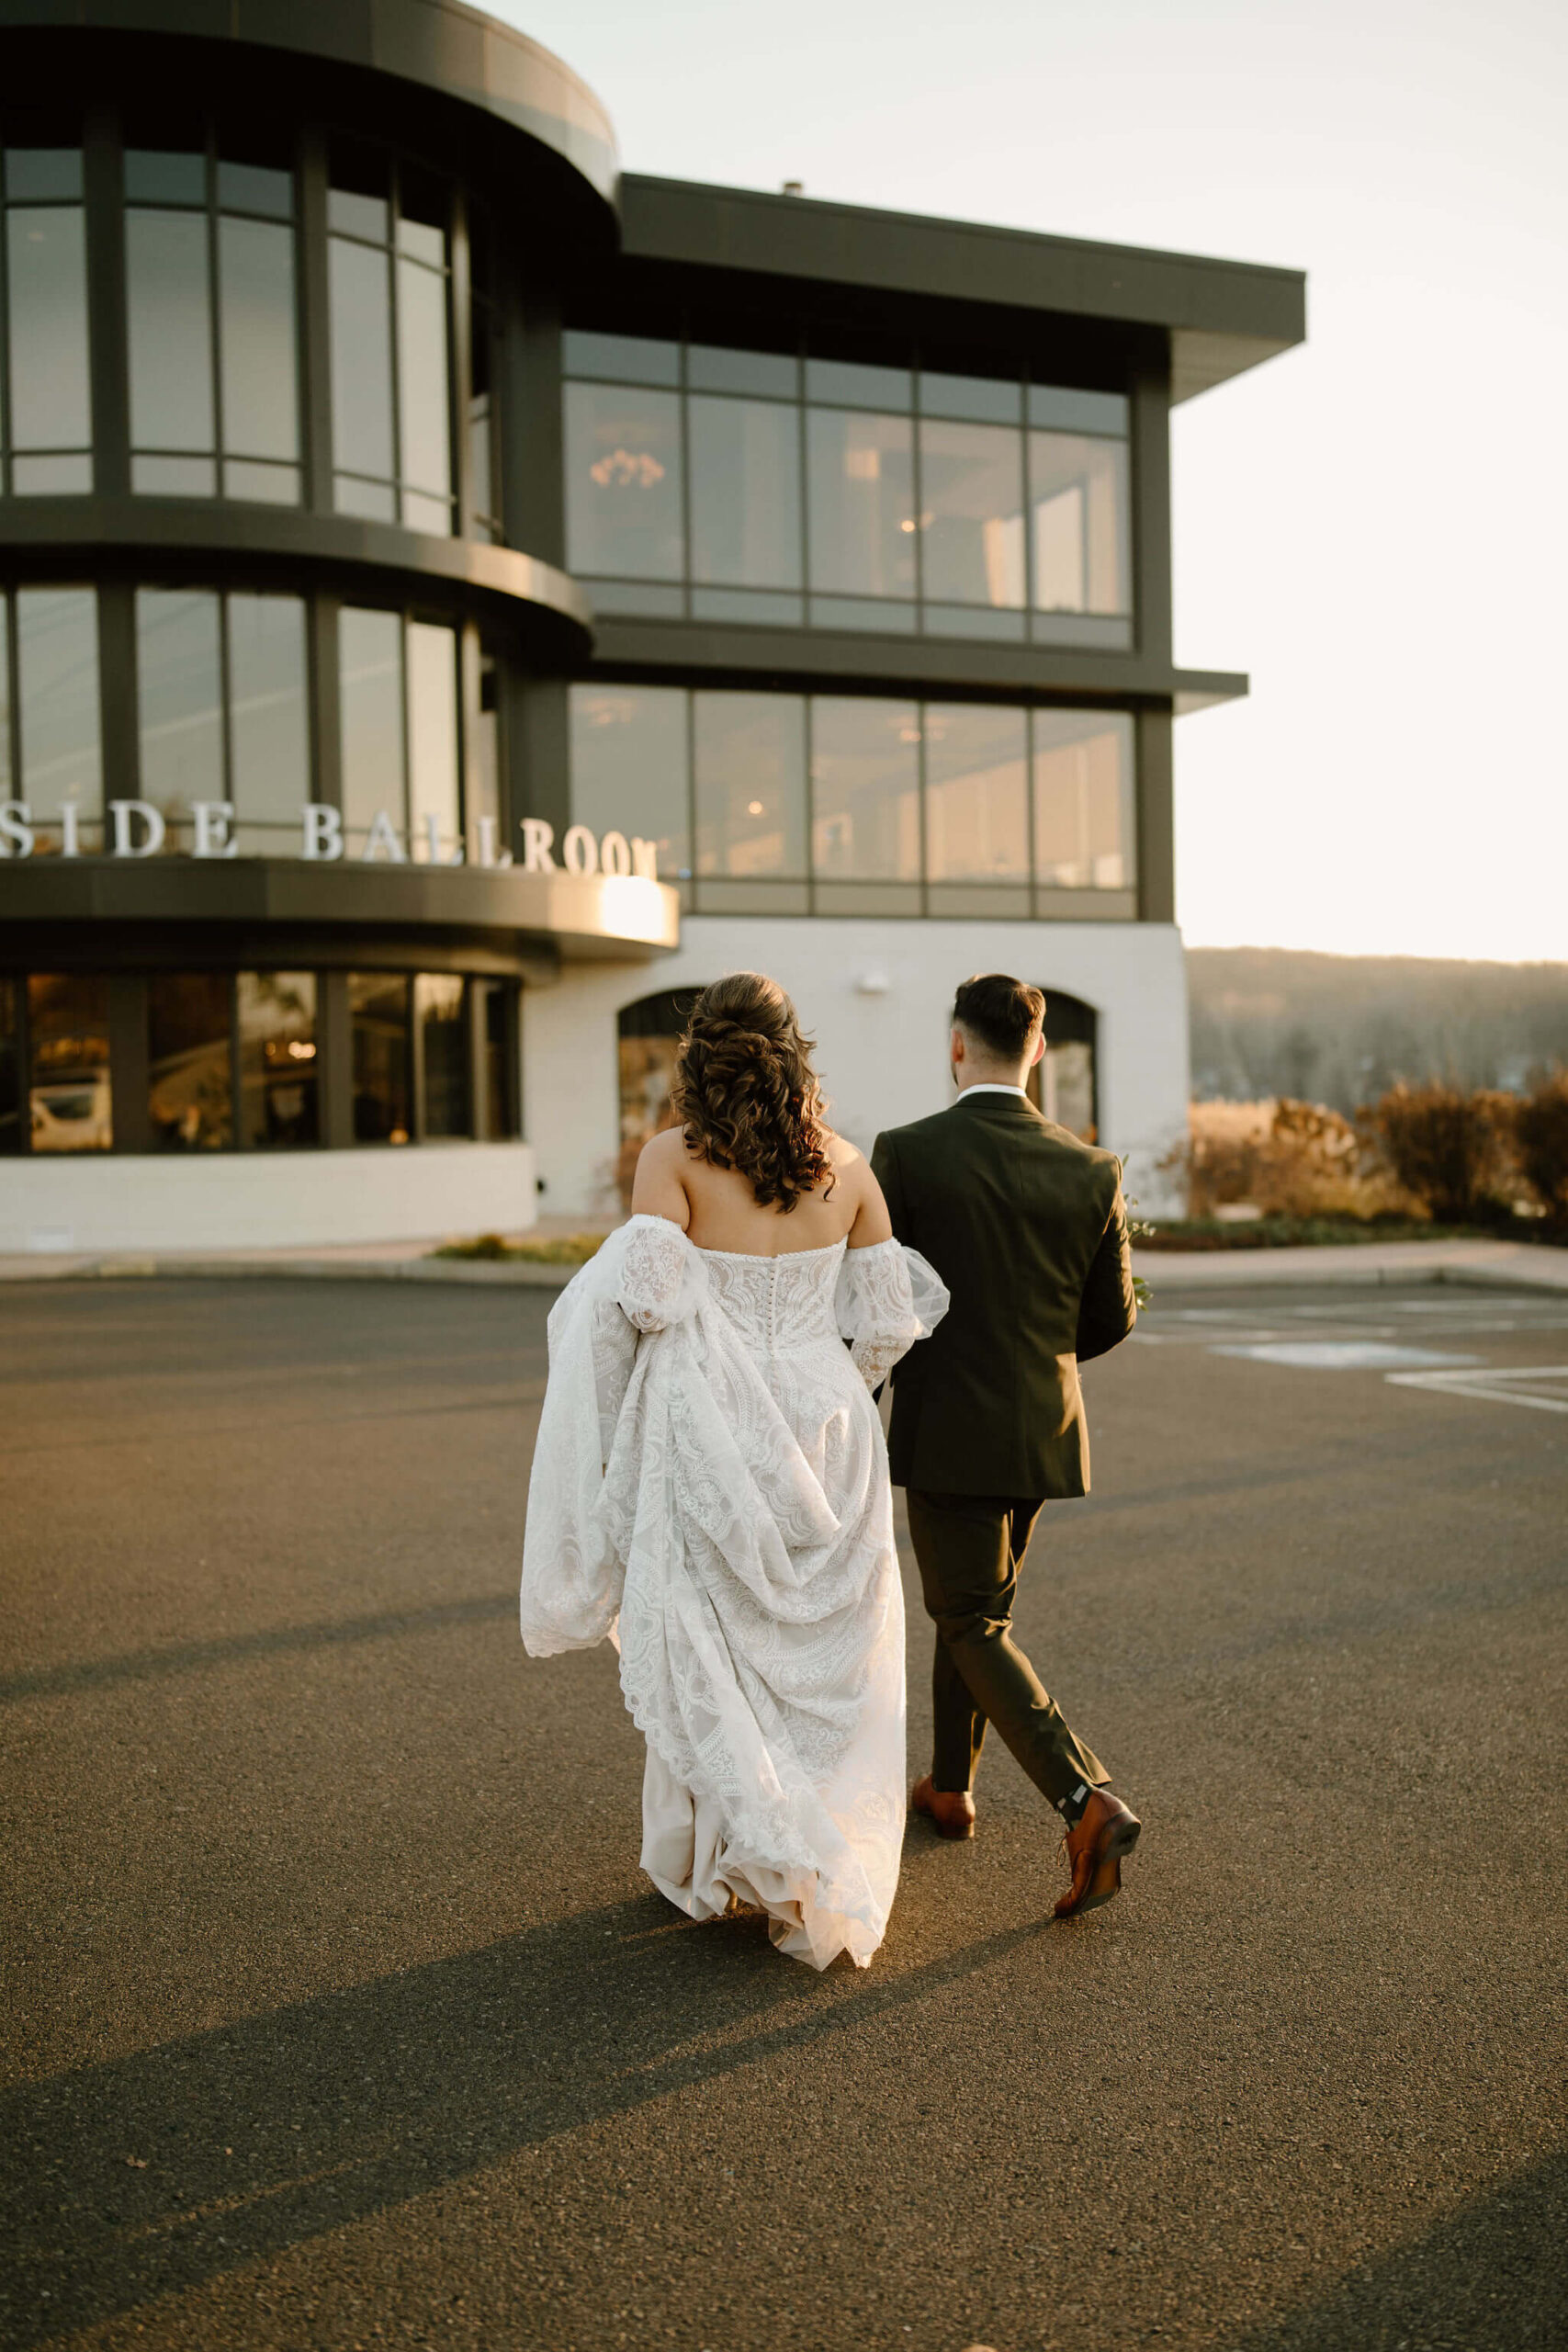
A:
(883, 1055)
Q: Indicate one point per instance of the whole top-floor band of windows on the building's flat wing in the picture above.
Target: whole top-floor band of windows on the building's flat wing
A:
(718, 486)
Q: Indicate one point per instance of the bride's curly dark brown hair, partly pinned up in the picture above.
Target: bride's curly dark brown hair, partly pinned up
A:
(746, 1090)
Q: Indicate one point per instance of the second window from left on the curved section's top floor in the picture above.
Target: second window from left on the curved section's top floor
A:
(210, 316)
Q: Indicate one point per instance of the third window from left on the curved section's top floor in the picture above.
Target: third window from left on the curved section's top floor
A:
(391, 349)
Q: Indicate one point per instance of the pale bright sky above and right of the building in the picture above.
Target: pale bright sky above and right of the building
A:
(1374, 526)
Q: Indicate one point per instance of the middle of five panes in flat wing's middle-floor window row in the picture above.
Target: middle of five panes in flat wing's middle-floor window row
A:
(864, 791)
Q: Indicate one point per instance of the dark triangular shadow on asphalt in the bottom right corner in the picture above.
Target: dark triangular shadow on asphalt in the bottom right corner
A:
(1489, 2278)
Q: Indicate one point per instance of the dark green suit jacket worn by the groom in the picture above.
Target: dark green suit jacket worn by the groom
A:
(1028, 1231)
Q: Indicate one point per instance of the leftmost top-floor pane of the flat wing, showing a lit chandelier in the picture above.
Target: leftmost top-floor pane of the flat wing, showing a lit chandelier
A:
(624, 481)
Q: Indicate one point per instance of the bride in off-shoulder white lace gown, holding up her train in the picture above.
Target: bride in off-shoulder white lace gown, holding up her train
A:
(711, 1490)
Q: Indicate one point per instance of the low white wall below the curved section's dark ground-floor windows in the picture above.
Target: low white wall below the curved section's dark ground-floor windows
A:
(264, 1201)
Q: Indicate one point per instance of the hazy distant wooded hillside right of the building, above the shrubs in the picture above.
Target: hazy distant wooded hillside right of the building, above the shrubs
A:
(1346, 1029)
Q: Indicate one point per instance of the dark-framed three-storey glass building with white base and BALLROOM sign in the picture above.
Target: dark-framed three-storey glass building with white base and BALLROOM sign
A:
(457, 599)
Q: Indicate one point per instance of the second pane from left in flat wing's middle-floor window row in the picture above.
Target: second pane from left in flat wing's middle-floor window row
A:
(751, 784)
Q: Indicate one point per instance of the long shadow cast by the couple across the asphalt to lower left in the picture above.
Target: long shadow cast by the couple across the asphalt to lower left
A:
(163, 2170)
